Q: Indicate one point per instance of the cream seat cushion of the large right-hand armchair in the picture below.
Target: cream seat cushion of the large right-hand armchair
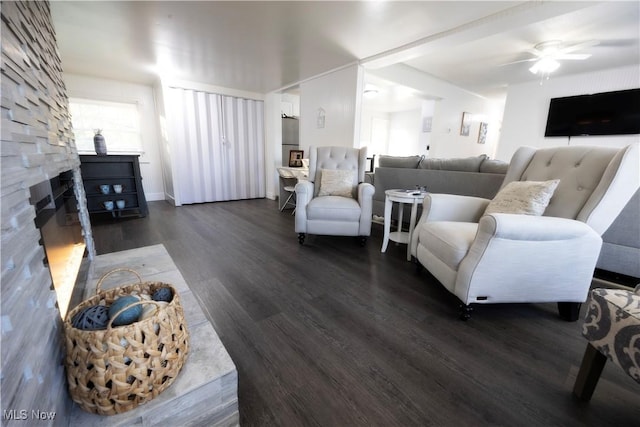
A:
(447, 240)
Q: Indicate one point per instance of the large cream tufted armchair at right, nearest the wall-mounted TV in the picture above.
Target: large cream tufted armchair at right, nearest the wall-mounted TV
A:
(495, 257)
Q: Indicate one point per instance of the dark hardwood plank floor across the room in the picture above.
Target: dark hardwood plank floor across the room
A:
(333, 334)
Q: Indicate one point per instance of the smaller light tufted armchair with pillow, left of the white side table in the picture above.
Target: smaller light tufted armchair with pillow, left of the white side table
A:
(335, 200)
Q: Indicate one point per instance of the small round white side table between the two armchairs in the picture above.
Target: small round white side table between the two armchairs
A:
(399, 236)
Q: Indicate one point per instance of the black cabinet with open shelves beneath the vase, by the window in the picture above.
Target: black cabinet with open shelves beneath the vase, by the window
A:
(103, 175)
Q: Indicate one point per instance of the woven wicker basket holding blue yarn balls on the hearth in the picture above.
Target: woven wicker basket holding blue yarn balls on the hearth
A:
(113, 370)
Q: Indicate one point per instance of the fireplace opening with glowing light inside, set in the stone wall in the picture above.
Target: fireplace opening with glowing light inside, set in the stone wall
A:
(61, 233)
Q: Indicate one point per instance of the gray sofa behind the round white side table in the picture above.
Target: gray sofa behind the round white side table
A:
(471, 176)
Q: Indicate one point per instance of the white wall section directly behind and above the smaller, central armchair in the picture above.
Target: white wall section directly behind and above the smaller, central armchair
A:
(337, 93)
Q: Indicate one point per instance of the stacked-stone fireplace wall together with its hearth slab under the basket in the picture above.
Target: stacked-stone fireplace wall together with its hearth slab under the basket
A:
(37, 145)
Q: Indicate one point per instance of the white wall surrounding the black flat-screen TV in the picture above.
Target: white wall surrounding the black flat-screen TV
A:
(527, 105)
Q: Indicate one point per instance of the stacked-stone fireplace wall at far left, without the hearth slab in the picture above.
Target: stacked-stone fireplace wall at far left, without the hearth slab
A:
(37, 146)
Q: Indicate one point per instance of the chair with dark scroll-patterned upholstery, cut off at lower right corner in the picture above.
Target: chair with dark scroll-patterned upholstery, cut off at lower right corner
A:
(612, 327)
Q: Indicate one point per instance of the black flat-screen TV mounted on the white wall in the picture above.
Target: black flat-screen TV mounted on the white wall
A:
(608, 113)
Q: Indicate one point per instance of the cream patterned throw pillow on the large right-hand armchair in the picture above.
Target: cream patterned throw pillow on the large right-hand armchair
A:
(523, 197)
